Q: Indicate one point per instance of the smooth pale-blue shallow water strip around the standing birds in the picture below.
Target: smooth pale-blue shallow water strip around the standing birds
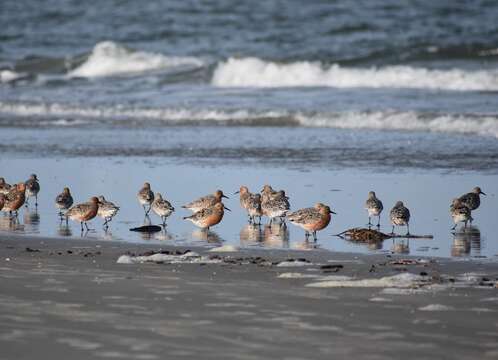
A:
(427, 196)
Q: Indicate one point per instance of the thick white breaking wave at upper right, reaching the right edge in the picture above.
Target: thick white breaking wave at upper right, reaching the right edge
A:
(255, 72)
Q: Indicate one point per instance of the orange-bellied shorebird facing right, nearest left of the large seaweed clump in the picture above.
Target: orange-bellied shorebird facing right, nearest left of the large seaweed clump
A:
(312, 219)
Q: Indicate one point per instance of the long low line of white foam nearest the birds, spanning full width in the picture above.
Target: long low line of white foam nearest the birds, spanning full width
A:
(486, 125)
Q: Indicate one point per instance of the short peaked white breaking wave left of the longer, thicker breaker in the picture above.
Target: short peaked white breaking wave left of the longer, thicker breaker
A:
(110, 59)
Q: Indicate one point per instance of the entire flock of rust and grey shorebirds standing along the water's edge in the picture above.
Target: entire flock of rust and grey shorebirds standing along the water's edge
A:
(209, 210)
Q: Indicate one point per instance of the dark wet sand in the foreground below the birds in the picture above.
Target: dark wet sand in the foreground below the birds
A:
(70, 298)
